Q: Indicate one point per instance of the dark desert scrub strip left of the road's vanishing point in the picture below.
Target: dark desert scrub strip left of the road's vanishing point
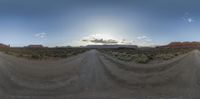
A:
(43, 53)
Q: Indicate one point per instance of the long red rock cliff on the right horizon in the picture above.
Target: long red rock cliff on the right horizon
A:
(184, 45)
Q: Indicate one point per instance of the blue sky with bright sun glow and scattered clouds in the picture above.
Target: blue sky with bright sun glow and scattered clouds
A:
(85, 22)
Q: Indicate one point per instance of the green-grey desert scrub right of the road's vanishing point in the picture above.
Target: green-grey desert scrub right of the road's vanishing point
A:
(142, 55)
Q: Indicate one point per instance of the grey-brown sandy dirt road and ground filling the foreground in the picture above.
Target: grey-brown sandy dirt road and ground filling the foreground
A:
(93, 75)
